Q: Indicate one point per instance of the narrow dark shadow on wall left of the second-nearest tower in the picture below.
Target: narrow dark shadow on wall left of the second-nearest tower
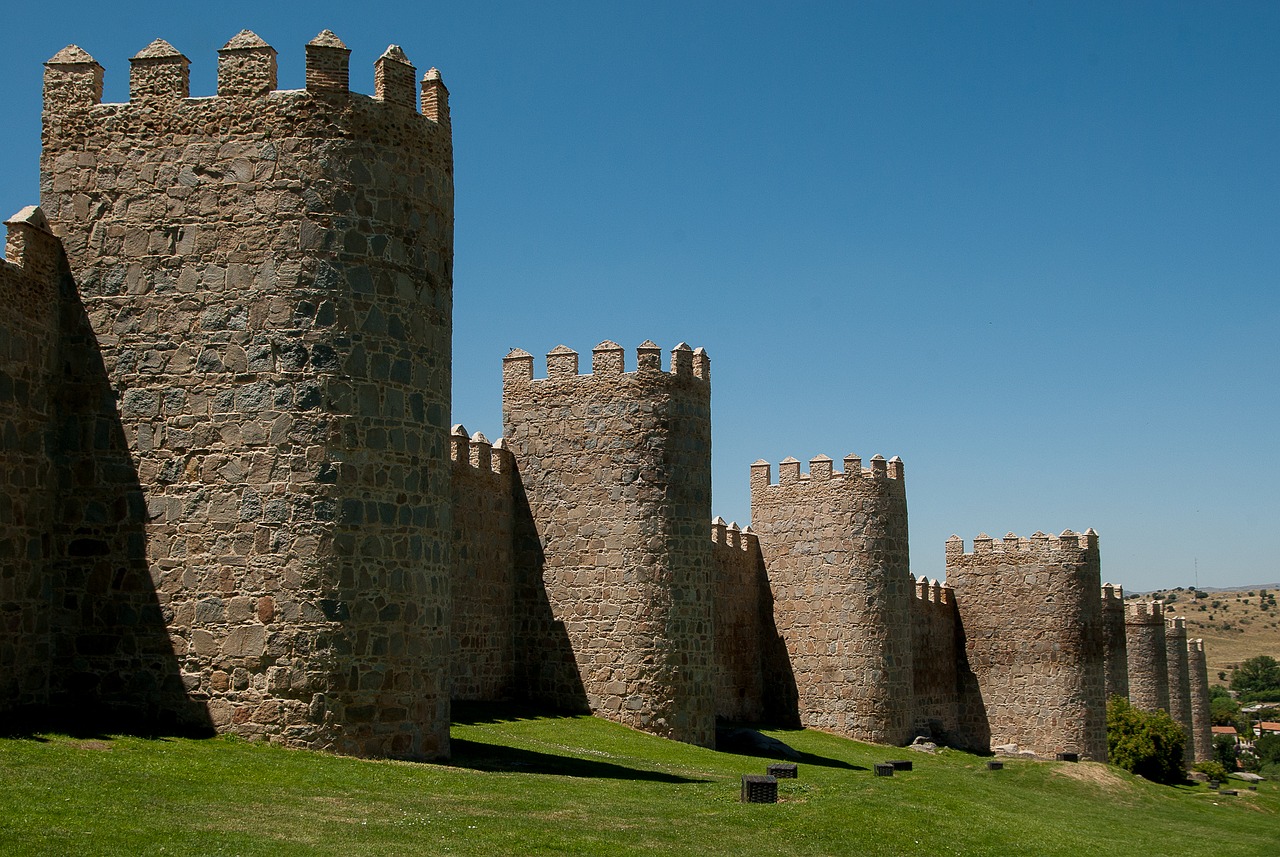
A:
(547, 673)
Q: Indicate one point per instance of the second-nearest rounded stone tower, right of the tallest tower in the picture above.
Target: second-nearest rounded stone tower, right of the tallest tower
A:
(616, 566)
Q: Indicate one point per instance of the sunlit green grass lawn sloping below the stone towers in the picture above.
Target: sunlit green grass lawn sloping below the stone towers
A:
(580, 786)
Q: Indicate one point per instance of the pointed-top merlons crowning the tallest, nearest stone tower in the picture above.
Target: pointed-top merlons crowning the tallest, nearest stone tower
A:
(248, 72)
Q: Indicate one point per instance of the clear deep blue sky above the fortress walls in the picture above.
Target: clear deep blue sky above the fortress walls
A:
(1030, 248)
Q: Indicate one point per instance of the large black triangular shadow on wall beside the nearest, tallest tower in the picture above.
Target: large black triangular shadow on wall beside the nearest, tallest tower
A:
(113, 666)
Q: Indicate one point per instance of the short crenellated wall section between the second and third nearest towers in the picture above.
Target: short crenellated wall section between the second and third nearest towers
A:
(742, 633)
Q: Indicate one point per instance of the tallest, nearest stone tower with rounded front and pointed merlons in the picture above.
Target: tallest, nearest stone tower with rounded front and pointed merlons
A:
(268, 276)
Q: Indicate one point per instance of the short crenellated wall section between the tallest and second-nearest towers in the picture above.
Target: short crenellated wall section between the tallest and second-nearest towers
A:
(483, 663)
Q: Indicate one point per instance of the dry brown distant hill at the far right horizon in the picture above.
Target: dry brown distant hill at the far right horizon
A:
(1236, 624)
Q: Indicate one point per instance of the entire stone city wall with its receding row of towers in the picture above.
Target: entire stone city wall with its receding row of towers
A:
(234, 502)
